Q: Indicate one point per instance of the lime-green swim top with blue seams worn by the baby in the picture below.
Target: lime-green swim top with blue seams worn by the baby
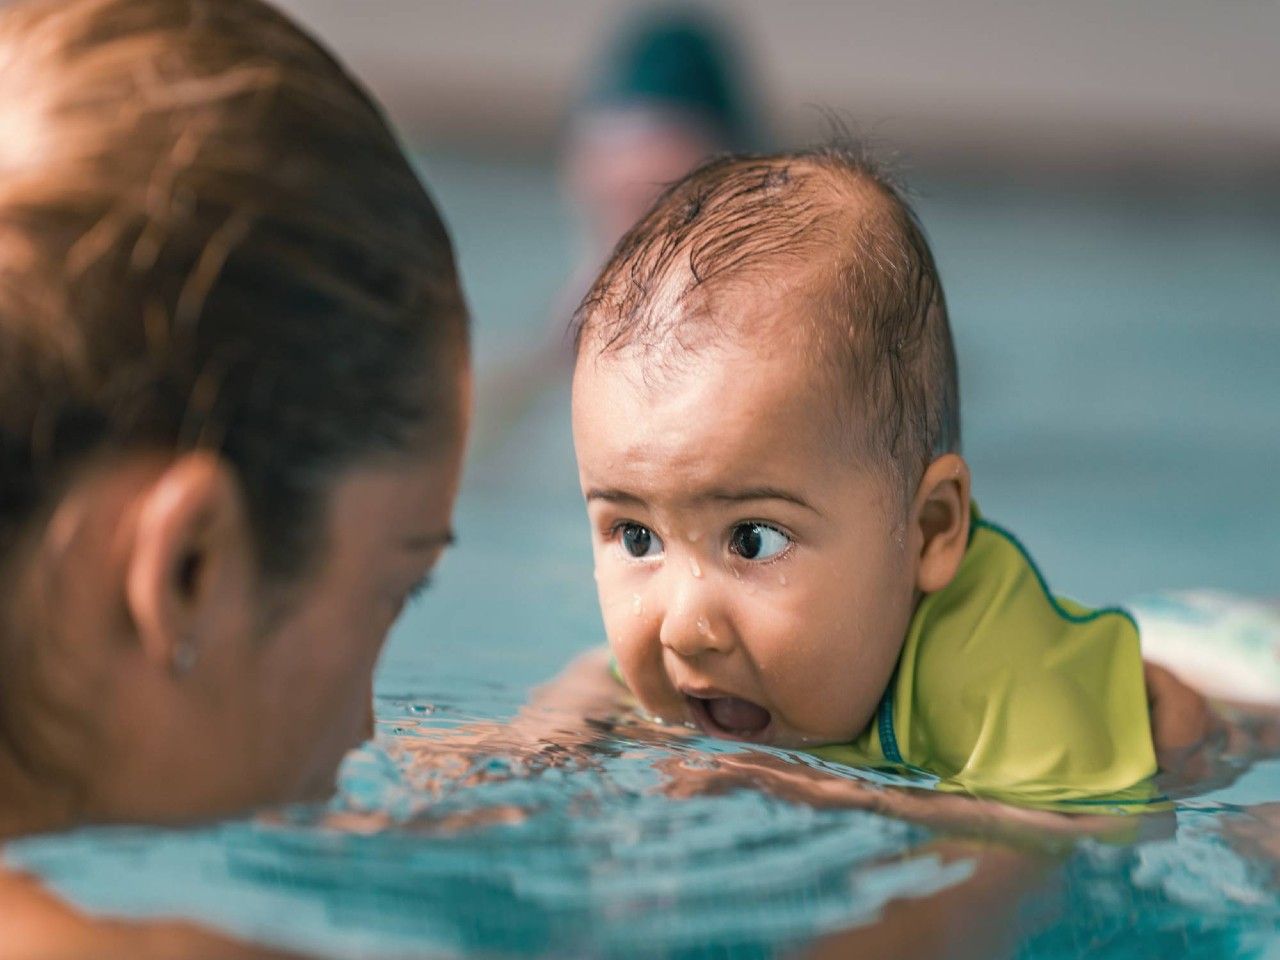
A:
(1005, 691)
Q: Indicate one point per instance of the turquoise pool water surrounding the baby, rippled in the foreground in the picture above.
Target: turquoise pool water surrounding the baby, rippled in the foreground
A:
(1119, 367)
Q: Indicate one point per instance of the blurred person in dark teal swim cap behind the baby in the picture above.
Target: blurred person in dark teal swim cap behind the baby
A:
(670, 90)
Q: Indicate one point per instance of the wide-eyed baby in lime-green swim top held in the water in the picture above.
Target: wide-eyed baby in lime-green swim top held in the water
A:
(766, 414)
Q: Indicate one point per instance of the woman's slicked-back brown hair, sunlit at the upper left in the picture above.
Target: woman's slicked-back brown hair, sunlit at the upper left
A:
(209, 239)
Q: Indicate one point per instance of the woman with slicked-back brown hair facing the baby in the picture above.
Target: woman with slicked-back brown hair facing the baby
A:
(234, 399)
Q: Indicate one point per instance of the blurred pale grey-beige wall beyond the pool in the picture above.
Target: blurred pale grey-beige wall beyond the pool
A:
(1069, 88)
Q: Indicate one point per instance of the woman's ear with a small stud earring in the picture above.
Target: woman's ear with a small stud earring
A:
(190, 565)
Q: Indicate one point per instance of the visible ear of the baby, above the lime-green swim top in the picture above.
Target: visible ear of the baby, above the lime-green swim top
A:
(941, 515)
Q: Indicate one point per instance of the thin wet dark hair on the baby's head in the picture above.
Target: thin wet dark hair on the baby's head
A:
(829, 232)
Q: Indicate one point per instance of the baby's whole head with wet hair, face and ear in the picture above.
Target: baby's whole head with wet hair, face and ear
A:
(767, 426)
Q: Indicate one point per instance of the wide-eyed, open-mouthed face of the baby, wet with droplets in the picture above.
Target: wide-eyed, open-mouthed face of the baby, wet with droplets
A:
(755, 579)
